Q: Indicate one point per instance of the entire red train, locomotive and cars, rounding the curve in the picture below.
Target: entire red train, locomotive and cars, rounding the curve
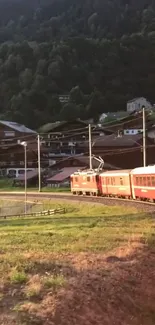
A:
(136, 184)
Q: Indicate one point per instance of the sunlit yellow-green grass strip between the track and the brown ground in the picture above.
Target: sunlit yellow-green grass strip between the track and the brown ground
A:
(84, 228)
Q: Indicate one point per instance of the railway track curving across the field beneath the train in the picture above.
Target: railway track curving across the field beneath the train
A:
(141, 205)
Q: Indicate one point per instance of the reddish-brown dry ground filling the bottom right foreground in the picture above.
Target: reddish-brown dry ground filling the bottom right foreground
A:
(109, 290)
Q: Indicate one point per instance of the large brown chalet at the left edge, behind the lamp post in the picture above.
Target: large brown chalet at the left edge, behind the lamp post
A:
(12, 153)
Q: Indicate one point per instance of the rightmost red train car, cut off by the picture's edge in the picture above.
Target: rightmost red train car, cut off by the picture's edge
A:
(143, 183)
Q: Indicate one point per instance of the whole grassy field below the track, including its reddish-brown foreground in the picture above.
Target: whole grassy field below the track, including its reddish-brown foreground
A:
(93, 263)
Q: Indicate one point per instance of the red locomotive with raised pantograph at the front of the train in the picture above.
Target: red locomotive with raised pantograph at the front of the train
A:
(86, 183)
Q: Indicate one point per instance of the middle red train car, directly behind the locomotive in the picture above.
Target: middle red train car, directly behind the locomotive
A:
(116, 183)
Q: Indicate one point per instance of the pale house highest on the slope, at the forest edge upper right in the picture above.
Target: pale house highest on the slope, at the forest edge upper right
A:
(137, 104)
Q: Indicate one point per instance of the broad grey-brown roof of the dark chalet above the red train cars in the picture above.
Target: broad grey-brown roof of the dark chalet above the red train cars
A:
(116, 141)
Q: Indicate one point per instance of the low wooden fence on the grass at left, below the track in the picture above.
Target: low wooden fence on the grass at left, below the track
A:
(37, 214)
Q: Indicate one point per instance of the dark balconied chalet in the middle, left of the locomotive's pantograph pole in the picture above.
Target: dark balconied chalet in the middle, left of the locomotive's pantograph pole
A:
(63, 138)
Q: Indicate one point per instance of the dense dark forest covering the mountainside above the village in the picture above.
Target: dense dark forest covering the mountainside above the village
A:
(101, 52)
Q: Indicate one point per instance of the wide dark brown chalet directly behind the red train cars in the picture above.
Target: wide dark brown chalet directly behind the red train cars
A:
(123, 151)
